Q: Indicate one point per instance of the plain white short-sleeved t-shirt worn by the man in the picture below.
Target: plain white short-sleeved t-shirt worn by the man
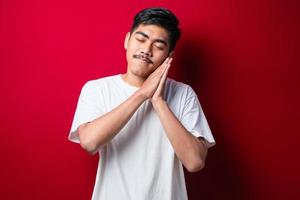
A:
(139, 163)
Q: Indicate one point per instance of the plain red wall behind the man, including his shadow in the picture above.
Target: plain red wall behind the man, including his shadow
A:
(241, 57)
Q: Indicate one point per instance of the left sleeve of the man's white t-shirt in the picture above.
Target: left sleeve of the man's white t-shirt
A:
(88, 108)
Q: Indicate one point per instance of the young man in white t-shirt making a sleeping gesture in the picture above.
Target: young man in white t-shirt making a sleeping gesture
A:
(144, 125)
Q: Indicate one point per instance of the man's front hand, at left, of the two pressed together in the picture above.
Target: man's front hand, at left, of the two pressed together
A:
(153, 82)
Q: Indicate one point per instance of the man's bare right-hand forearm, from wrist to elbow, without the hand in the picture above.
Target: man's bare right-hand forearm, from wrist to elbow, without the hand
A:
(190, 150)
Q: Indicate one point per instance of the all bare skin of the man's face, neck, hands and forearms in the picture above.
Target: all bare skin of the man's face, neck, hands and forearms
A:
(148, 63)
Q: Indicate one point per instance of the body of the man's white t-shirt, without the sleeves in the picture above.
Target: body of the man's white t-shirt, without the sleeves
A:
(139, 163)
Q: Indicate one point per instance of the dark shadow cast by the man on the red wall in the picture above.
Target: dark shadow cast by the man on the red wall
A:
(222, 177)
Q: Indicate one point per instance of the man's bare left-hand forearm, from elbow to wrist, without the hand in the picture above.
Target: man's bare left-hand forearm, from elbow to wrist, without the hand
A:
(101, 130)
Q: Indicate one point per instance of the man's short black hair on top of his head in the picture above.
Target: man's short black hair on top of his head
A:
(161, 17)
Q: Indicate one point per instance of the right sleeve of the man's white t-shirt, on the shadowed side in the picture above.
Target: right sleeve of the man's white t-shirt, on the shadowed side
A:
(194, 120)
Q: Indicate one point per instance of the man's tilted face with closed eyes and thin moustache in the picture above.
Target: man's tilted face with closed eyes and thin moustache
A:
(147, 47)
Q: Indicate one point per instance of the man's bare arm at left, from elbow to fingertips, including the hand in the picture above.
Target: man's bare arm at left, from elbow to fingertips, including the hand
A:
(98, 132)
